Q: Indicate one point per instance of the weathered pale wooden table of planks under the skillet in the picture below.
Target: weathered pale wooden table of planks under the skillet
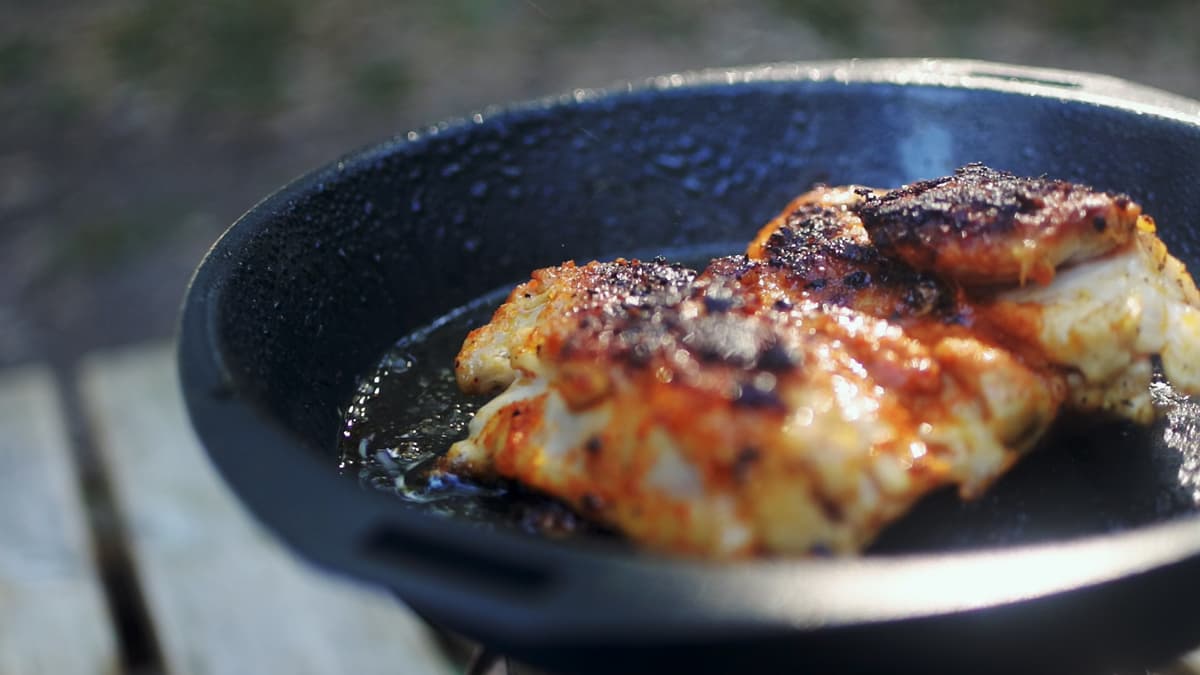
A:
(123, 552)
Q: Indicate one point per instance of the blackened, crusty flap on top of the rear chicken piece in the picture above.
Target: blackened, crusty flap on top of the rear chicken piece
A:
(988, 226)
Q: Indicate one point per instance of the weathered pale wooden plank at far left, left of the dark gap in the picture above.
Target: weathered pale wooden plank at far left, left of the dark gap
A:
(53, 618)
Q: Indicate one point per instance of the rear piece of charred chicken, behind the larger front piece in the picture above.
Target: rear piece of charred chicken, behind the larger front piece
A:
(1121, 298)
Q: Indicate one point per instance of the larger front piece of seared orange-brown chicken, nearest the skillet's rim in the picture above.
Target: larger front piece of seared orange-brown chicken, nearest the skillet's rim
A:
(724, 426)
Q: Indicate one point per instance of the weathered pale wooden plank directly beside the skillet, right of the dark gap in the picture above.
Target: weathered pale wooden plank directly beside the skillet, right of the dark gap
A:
(224, 598)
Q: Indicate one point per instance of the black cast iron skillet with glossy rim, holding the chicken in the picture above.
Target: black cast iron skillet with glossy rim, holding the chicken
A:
(311, 286)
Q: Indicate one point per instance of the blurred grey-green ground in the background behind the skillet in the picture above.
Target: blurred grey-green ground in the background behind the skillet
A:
(135, 132)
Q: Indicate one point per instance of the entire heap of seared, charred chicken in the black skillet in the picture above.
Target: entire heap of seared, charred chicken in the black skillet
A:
(802, 397)
